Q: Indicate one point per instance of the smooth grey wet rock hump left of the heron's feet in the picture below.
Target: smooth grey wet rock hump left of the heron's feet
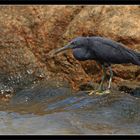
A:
(40, 92)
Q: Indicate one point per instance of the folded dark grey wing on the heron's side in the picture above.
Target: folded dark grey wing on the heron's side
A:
(111, 52)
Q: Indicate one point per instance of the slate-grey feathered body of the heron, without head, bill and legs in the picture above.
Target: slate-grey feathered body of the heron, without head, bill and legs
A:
(105, 51)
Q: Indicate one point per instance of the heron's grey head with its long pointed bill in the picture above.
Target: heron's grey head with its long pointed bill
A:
(75, 43)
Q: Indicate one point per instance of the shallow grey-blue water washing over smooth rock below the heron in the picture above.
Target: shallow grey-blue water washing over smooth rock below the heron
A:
(45, 109)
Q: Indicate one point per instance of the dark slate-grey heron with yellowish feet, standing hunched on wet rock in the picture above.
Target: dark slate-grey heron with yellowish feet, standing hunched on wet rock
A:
(104, 51)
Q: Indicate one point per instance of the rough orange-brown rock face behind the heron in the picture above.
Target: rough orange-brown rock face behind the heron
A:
(28, 33)
